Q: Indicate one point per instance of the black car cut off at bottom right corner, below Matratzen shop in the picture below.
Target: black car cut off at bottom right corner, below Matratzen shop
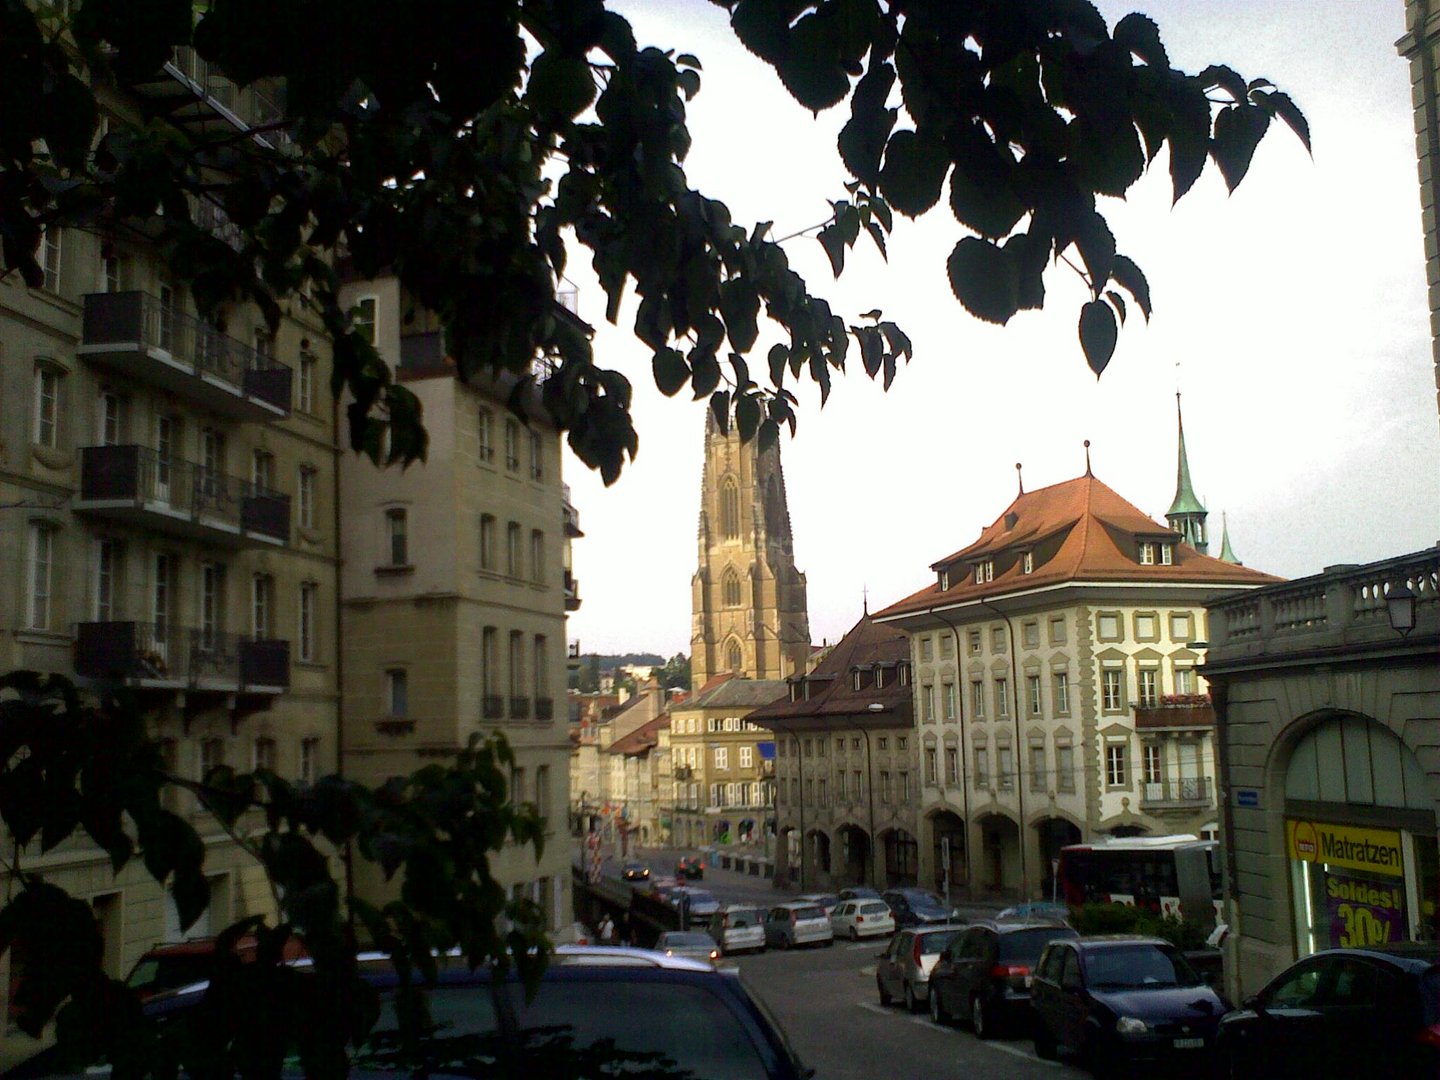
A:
(1341, 1013)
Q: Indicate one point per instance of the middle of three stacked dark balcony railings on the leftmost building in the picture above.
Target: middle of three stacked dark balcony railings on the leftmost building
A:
(139, 486)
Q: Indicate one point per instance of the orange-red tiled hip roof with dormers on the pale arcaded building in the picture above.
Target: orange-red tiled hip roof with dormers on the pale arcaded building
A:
(1081, 532)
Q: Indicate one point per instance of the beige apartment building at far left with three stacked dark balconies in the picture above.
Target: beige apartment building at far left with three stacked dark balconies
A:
(168, 515)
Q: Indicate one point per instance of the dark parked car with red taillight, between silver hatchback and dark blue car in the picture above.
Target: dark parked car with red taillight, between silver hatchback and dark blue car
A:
(984, 974)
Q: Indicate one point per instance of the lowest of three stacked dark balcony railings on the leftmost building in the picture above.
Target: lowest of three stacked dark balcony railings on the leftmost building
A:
(148, 654)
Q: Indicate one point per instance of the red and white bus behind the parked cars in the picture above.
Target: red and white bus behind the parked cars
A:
(1171, 876)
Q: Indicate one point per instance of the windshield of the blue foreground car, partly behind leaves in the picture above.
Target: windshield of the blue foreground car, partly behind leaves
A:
(575, 1029)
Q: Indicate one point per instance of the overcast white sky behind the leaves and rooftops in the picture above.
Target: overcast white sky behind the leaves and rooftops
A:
(1292, 316)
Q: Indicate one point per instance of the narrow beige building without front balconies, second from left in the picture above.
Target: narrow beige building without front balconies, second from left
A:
(456, 591)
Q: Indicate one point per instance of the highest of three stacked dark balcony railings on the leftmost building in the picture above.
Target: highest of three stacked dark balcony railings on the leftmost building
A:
(155, 342)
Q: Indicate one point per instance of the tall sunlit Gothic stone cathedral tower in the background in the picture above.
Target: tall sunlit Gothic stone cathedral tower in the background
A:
(751, 616)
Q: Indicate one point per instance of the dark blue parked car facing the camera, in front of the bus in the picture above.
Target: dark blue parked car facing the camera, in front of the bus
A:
(1121, 1002)
